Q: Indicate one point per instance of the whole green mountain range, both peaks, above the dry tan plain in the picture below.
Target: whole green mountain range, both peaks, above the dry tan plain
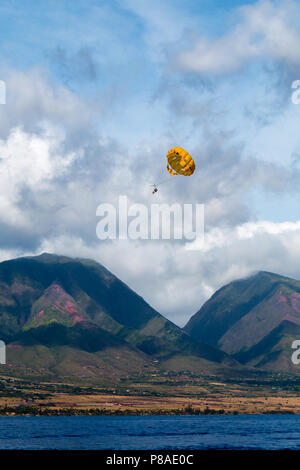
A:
(63, 317)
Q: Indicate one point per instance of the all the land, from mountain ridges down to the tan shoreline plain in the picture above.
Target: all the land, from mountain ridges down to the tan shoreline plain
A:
(77, 336)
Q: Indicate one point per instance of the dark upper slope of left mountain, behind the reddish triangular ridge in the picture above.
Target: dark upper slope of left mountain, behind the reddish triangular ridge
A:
(94, 288)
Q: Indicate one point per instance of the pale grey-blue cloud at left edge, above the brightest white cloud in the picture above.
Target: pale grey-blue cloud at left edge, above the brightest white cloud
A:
(33, 96)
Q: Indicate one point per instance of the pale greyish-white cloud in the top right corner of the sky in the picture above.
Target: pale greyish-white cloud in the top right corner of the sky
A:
(265, 30)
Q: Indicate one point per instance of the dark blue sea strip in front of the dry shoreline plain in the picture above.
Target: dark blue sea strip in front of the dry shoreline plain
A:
(150, 432)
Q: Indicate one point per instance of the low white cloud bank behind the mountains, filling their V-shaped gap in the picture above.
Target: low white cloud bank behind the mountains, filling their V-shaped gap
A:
(176, 282)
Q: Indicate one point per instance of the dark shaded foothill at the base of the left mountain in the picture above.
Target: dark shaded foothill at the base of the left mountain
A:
(84, 350)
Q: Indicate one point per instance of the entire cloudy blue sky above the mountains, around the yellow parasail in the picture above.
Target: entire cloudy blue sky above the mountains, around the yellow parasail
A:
(98, 91)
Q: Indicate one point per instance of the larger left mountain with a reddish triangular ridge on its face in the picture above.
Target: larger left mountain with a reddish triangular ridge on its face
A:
(50, 302)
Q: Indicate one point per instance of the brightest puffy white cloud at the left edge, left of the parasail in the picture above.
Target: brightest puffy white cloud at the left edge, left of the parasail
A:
(29, 161)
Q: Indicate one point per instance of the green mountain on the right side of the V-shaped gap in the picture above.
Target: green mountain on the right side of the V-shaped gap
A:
(244, 313)
